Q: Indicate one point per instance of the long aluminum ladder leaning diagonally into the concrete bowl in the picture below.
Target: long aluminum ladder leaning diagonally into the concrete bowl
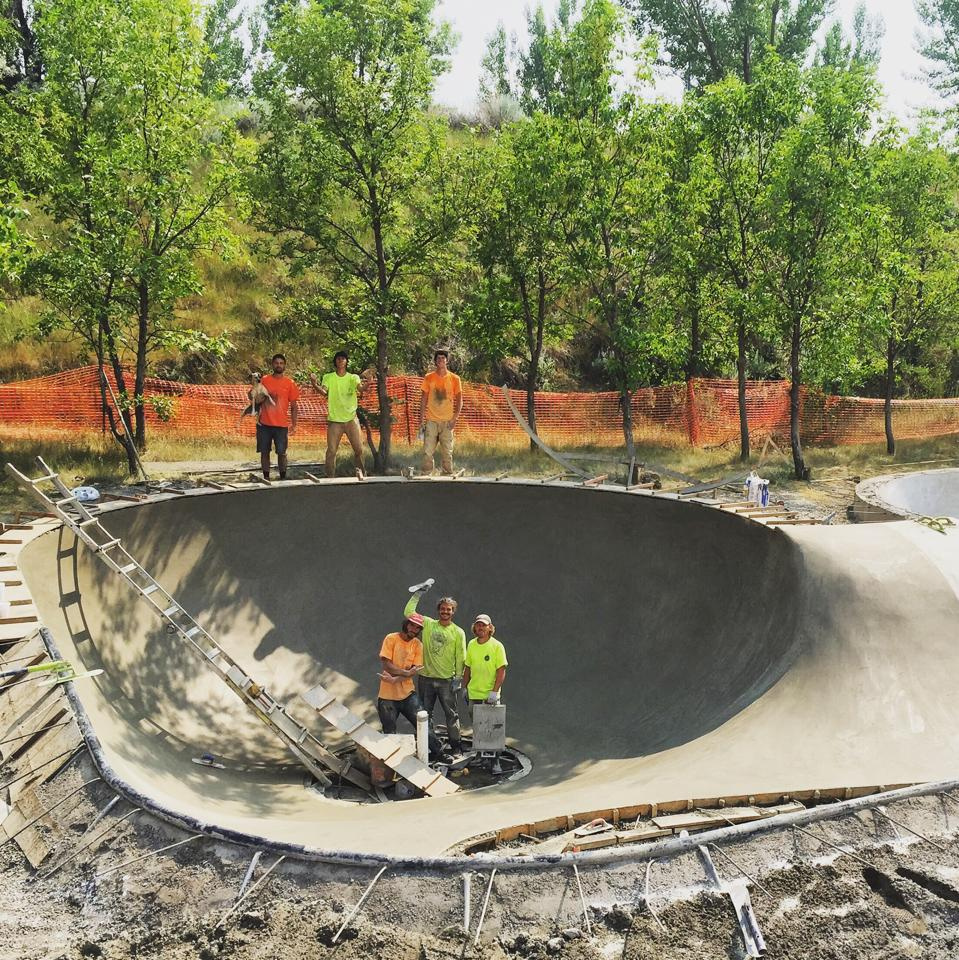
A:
(85, 524)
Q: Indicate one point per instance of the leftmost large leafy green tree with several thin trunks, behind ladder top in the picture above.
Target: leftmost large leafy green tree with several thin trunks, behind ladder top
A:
(121, 151)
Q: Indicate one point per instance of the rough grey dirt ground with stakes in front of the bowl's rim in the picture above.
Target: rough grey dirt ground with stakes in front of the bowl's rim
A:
(810, 902)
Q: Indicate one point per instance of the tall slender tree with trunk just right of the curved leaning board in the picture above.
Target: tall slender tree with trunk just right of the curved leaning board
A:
(614, 156)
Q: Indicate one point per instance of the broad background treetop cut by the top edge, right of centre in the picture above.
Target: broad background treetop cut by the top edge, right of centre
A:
(709, 40)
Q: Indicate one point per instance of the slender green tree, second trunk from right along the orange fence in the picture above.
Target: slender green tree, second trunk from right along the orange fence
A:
(818, 181)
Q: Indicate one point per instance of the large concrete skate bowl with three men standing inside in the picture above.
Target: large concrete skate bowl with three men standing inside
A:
(658, 650)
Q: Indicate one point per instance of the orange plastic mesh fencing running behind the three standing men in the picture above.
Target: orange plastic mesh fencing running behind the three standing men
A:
(701, 412)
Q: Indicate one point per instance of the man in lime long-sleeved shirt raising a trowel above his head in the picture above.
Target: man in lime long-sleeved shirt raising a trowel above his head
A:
(444, 649)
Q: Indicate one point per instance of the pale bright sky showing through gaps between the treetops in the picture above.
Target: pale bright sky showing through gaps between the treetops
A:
(474, 20)
